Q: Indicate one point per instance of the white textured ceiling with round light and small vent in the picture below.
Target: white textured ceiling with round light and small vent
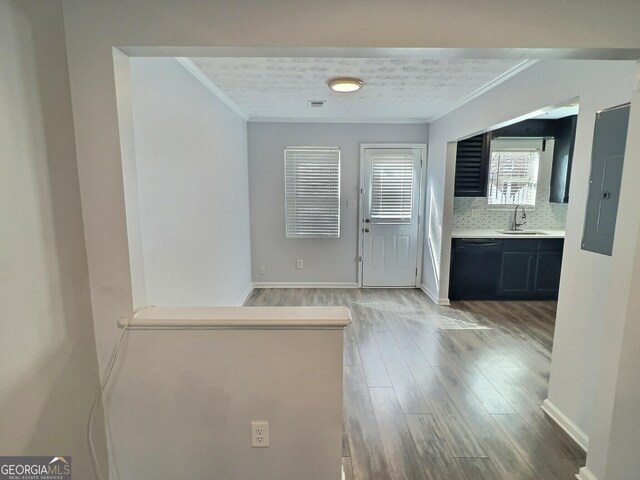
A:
(395, 88)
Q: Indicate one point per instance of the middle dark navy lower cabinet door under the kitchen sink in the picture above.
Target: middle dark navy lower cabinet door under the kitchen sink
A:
(517, 275)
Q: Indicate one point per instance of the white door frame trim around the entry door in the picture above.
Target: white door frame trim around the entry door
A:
(421, 203)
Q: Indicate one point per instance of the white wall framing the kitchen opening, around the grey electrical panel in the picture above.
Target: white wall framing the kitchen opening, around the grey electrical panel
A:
(584, 284)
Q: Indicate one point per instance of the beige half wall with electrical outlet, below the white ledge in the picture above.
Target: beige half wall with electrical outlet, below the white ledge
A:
(172, 420)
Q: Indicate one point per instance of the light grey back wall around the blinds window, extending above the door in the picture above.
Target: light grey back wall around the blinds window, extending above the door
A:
(325, 260)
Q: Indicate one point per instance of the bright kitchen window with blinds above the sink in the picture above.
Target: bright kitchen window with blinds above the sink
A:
(513, 171)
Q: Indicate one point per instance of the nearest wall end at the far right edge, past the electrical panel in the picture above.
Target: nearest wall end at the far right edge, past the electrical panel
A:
(615, 422)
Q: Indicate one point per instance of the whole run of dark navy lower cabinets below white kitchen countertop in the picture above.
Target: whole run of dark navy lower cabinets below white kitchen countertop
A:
(505, 269)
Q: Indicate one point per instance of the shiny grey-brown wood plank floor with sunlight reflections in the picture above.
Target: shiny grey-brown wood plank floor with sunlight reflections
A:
(444, 392)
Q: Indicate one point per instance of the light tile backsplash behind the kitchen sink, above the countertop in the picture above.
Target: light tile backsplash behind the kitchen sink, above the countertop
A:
(475, 213)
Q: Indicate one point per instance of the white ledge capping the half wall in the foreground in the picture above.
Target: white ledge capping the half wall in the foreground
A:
(232, 318)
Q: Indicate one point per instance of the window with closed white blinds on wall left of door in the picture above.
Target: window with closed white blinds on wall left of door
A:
(312, 192)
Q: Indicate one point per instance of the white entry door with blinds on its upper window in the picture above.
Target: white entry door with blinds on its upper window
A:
(391, 197)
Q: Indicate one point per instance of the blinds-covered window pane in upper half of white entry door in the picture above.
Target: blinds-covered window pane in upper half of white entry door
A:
(391, 188)
